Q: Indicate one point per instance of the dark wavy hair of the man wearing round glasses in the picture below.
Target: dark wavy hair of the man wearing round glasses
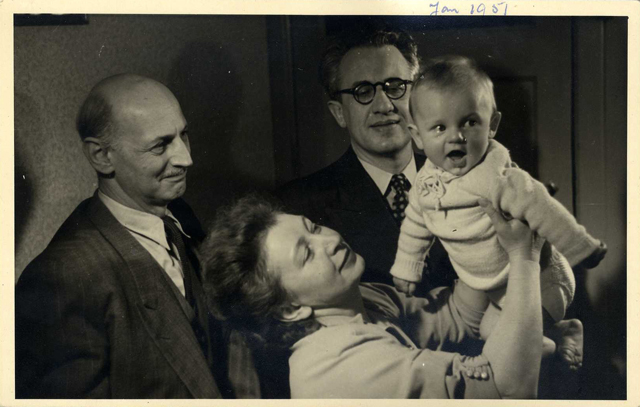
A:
(375, 37)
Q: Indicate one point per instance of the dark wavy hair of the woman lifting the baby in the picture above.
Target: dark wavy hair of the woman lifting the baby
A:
(239, 287)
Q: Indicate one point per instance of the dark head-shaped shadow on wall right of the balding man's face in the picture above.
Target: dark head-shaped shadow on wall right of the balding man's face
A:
(211, 93)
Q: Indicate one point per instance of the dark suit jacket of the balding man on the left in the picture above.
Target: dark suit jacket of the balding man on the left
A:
(97, 317)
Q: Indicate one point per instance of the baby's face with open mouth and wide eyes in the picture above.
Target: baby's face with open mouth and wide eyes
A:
(453, 126)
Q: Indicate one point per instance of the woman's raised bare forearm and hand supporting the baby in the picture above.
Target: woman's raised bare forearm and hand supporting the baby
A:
(514, 348)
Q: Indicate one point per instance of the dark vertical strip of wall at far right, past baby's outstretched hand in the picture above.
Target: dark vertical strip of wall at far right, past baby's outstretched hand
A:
(600, 159)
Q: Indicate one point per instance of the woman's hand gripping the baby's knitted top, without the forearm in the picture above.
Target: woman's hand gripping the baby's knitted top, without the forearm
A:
(514, 236)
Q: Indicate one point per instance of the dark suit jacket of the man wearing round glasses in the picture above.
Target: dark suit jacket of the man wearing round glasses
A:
(343, 197)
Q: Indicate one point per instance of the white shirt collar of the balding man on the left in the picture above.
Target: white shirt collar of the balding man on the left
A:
(142, 223)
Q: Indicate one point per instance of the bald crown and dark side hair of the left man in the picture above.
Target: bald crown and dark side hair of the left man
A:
(111, 100)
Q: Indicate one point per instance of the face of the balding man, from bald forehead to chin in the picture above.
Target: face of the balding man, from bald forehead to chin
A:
(151, 153)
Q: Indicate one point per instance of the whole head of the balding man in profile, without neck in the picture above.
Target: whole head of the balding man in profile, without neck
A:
(136, 138)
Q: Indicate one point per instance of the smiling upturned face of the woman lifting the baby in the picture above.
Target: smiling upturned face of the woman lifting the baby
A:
(314, 265)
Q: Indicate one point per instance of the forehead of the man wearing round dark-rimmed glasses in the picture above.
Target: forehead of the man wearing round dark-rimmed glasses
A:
(373, 64)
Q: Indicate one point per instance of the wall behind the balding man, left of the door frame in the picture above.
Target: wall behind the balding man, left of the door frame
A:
(216, 66)
